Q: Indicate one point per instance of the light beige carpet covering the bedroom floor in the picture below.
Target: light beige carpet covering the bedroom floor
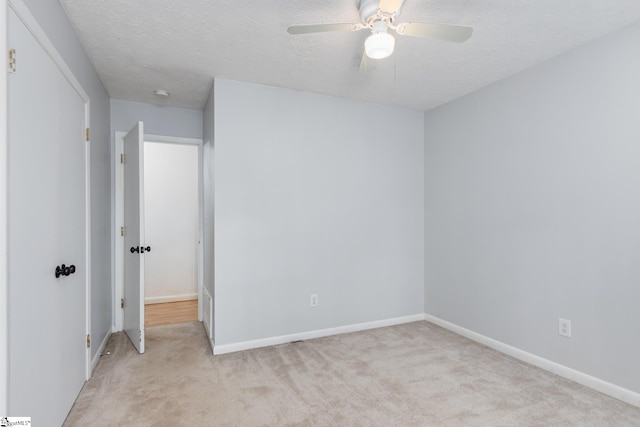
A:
(415, 374)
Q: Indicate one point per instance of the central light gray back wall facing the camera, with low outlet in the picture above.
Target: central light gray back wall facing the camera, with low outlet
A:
(314, 194)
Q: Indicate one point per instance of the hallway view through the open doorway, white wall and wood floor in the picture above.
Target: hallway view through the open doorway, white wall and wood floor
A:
(171, 228)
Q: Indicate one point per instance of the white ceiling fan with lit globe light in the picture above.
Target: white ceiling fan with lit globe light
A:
(379, 16)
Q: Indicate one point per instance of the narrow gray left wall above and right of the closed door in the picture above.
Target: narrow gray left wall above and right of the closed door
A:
(52, 19)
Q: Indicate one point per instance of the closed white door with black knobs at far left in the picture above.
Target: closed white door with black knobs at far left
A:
(47, 228)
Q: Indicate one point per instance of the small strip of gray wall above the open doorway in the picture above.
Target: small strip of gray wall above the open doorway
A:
(158, 119)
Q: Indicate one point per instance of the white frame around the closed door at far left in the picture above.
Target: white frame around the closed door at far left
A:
(24, 14)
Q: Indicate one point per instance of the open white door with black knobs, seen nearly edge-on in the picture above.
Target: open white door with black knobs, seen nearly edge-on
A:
(134, 243)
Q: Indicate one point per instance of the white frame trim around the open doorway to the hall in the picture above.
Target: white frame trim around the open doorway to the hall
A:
(118, 246)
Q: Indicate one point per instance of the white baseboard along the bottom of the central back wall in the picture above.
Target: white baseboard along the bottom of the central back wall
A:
(282, 339)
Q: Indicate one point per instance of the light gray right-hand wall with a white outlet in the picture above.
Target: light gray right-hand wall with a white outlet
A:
(533, 210)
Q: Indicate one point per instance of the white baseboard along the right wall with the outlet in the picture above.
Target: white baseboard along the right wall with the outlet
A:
(597, 384)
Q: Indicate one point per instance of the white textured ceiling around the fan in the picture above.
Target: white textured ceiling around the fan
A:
(142, 45)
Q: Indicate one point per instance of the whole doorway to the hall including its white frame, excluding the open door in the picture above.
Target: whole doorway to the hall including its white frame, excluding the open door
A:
(173, 223)
